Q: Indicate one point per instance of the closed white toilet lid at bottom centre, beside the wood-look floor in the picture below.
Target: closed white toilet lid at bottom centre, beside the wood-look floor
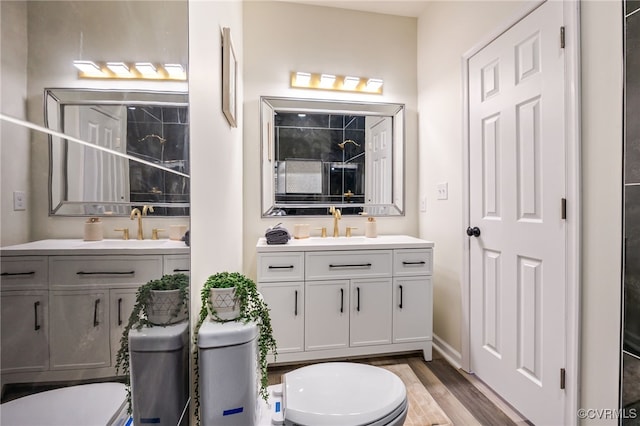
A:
(341, 394)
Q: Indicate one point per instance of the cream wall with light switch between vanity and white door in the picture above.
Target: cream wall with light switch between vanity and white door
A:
(441, 46)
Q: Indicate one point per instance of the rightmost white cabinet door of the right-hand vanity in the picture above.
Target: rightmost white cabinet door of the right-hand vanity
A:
(412, 309)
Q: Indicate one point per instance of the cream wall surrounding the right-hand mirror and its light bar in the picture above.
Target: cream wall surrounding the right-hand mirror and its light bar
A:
(283, 37)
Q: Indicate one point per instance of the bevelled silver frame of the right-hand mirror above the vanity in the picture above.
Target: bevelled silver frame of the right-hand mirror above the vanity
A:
(271, 104)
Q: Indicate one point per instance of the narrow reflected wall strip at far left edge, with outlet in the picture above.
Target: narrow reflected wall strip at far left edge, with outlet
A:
(14, 140)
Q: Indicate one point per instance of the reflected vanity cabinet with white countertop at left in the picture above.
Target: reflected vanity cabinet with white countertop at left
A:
(64, 309)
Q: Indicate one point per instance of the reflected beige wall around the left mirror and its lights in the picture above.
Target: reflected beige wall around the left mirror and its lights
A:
(60, 32)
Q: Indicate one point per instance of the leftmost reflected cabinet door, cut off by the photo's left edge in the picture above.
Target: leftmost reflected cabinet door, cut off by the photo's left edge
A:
(25, 331)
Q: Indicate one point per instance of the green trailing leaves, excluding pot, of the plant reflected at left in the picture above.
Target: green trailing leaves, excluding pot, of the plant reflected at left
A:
(139, 318)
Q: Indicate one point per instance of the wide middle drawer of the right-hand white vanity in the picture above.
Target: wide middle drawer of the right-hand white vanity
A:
(348, 264)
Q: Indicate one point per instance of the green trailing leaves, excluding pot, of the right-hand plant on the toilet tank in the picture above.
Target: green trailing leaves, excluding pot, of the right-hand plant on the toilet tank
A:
(252, 309)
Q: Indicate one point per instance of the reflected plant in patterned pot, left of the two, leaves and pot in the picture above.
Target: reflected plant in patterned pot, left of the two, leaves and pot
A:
(159, 302)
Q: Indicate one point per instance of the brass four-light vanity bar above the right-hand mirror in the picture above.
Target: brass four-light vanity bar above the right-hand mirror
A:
(305, 80)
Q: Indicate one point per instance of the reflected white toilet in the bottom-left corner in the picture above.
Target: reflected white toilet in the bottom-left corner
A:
(99, 404)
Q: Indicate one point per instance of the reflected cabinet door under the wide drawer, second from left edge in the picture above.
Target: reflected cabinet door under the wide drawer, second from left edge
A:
(79, 329)
